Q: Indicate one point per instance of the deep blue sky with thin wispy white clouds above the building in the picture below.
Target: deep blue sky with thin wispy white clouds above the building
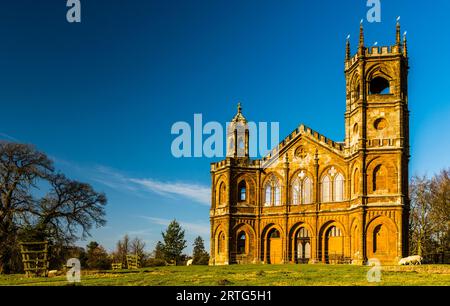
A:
(100, 97)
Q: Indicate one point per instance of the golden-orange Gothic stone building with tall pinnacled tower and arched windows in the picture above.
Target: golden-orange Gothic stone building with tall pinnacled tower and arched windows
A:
(315, 200)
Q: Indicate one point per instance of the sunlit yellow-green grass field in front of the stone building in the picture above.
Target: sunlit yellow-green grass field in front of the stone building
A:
(258, 275)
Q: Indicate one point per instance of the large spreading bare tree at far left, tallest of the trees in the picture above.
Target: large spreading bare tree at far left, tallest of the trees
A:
(66, 212)
